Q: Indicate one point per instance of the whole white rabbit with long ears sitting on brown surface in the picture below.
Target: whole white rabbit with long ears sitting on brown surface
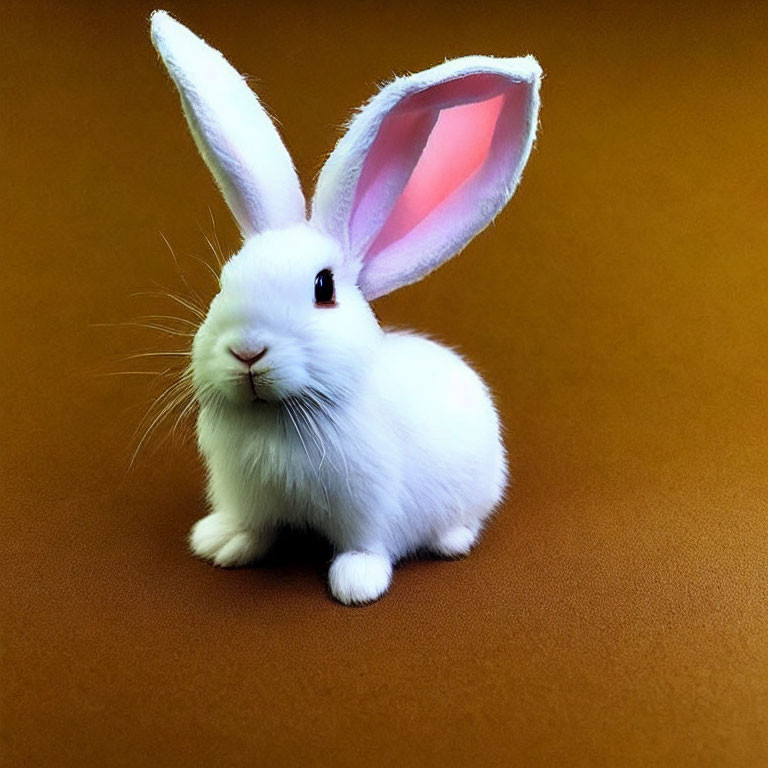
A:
(310, 413)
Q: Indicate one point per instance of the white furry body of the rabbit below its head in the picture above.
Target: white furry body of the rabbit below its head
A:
(394, 470)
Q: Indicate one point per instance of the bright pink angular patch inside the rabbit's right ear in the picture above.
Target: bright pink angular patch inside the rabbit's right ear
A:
(458, 145)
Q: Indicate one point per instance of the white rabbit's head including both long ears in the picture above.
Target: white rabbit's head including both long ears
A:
(423, 167)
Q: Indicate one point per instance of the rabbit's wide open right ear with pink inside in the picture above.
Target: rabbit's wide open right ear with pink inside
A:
(426, 164)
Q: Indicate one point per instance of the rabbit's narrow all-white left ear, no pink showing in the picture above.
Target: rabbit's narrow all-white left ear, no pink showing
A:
(232, 131)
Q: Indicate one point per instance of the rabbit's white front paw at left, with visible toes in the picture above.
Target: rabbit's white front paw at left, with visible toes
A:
(226, 542)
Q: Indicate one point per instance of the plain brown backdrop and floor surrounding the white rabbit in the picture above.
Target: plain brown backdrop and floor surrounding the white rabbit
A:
(615, 613)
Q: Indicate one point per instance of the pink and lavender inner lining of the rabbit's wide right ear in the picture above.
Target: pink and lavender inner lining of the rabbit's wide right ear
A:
(460, 137)
